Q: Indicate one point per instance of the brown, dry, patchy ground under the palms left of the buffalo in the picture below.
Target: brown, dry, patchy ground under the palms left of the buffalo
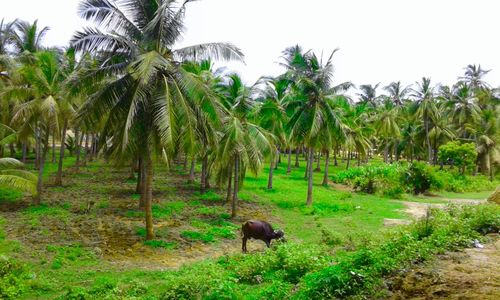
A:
(110, 233)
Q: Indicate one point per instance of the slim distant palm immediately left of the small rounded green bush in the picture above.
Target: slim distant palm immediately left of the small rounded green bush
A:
(427, 109)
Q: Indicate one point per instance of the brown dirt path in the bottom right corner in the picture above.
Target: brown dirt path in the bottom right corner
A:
(472, 274)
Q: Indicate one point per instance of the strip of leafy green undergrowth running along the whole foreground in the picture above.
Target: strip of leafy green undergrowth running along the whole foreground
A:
(288, 271)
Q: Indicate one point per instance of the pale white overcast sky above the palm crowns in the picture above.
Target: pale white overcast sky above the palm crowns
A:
(379, 41)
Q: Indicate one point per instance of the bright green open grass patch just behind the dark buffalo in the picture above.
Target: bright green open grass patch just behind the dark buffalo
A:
(338, 211)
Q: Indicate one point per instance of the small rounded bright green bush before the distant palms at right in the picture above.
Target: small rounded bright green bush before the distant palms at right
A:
(461, 155)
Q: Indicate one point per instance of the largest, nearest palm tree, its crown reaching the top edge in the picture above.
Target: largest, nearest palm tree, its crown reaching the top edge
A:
(135, 41)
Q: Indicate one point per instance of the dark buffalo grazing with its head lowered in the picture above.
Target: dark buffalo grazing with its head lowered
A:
(259, 230)
